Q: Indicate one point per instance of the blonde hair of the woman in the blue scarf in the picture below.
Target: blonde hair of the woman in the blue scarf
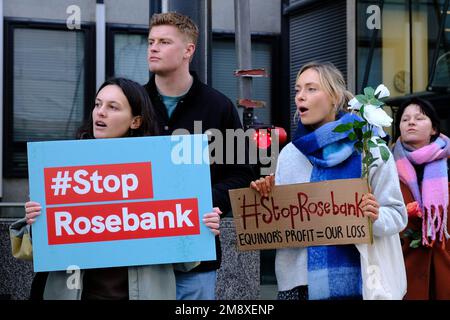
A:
(331, 81)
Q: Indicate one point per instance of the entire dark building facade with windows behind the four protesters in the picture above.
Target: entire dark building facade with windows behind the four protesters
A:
(56, 52)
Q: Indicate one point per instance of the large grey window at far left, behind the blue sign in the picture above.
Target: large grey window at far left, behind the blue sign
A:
(46, 90)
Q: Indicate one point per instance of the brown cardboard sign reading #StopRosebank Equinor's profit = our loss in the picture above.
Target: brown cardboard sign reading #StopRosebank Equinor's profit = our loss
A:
(298, 215)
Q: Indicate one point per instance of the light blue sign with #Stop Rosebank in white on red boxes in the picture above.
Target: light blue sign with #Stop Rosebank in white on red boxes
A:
(120, 202)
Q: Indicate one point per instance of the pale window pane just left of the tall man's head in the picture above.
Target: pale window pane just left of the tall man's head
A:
(130, 57)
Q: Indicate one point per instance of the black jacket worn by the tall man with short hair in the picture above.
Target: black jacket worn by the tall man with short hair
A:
(215, 111)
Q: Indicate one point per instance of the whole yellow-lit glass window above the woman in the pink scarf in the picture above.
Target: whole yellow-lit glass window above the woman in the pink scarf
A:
(400, 52)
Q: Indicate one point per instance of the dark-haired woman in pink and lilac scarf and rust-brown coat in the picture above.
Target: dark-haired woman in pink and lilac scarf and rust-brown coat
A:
(421, 154)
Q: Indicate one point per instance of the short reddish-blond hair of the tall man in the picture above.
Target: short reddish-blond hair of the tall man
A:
(183, 23)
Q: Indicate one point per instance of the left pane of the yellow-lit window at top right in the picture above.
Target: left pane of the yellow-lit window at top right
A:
(383, 46)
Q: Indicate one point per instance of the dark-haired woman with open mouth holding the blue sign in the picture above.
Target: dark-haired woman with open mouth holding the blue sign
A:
(122, 109)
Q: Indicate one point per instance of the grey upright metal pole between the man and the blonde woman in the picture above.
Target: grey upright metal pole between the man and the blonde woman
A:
(244, 54)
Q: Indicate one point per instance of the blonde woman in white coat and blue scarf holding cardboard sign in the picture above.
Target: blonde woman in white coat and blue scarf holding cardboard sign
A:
(316, 153)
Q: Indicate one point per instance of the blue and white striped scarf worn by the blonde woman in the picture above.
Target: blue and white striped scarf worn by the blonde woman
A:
(334, 272)
